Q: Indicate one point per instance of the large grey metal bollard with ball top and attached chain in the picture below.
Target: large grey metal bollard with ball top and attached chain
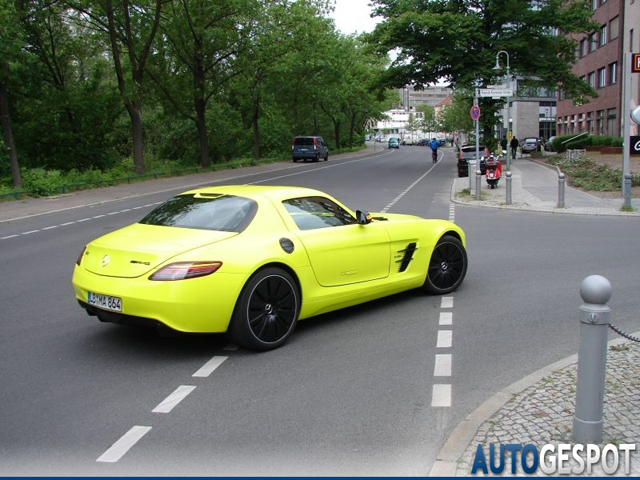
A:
(595, 291)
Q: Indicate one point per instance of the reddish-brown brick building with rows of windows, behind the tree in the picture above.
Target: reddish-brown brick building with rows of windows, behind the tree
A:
(599, 62)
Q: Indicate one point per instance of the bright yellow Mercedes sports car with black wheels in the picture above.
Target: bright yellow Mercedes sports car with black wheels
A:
(253, 260)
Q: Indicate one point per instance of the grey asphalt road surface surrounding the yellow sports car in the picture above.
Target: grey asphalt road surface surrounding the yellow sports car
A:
(350, 394)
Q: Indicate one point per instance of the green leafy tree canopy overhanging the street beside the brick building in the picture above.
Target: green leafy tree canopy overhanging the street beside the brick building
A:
(457, 42)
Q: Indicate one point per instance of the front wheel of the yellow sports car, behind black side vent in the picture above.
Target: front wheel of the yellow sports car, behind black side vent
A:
(447, 266)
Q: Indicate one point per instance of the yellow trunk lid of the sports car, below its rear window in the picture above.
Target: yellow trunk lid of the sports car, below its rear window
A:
(137, 249)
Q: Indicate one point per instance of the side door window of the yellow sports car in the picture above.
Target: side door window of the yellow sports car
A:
(310, 213)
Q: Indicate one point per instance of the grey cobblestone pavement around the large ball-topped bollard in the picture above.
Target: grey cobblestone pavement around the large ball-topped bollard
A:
(543, 413)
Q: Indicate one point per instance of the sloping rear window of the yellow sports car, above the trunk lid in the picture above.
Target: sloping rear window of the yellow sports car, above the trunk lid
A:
(204, 211)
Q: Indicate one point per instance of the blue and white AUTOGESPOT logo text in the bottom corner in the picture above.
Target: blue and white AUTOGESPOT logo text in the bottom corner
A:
(560, 459)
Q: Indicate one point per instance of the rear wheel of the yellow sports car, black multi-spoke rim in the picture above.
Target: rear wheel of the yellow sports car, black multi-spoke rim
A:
(267, 311)
